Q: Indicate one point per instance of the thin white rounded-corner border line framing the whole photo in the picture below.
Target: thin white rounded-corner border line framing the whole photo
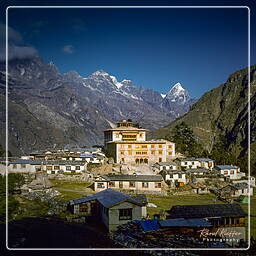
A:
(249, 107)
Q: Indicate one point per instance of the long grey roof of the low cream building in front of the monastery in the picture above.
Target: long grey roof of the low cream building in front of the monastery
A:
(126, 177)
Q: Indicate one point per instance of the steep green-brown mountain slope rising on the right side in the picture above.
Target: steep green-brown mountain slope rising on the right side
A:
(223, 113)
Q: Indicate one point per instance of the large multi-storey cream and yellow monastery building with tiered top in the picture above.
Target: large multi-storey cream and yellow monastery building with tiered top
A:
(128, 144)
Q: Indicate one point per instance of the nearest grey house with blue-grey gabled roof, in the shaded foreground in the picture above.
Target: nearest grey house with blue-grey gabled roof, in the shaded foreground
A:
(112, 207)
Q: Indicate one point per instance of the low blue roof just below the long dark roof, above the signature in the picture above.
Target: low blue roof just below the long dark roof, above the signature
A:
(181, 222)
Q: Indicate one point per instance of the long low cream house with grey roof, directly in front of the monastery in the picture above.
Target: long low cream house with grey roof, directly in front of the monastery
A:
(146, 183)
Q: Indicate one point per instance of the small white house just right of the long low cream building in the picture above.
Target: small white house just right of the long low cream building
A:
(176, 177)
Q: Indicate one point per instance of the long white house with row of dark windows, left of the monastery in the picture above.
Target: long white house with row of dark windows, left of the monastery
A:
(61, 166)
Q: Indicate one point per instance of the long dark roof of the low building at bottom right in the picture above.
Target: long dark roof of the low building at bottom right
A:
(204, 211)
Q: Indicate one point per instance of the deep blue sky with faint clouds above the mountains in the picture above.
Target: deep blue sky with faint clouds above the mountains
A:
(155, 48)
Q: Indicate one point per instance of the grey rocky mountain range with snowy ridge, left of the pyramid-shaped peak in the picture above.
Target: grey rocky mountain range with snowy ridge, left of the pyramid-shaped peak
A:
(47, 109)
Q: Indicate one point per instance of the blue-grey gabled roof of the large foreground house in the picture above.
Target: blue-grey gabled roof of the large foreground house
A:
(107, 198)
